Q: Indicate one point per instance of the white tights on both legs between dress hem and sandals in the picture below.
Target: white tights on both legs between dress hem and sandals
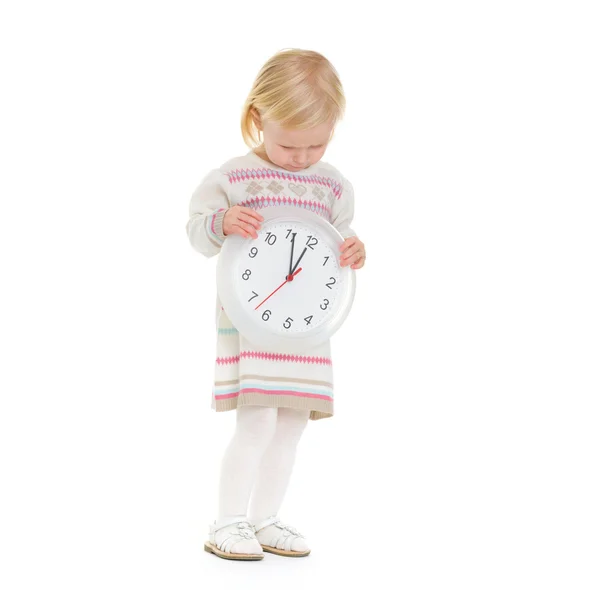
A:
(258, 462)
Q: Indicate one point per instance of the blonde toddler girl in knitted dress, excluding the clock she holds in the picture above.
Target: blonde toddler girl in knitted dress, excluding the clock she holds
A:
(295, 104)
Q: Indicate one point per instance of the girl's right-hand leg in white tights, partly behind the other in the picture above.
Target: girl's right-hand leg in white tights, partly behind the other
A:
(277, 464)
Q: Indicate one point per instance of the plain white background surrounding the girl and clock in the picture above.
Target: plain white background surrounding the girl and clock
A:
(465, 445)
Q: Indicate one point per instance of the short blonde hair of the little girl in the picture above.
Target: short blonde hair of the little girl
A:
(297, 89)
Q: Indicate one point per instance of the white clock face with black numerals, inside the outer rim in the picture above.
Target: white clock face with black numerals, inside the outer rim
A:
(289, 279)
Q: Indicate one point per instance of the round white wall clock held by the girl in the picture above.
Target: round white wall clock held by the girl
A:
(286, 290)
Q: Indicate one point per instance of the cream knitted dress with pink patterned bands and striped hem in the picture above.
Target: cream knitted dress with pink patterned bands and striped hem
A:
(244, 373)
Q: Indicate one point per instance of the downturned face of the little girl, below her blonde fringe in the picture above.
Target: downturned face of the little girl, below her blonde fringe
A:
(295, 149)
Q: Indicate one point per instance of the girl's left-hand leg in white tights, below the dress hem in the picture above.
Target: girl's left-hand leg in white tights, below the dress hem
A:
(255, 427)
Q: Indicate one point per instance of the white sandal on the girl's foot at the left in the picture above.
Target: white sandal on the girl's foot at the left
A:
(222, 538)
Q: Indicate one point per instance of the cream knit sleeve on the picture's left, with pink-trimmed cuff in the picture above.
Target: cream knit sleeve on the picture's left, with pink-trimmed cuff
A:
(208, 206)
